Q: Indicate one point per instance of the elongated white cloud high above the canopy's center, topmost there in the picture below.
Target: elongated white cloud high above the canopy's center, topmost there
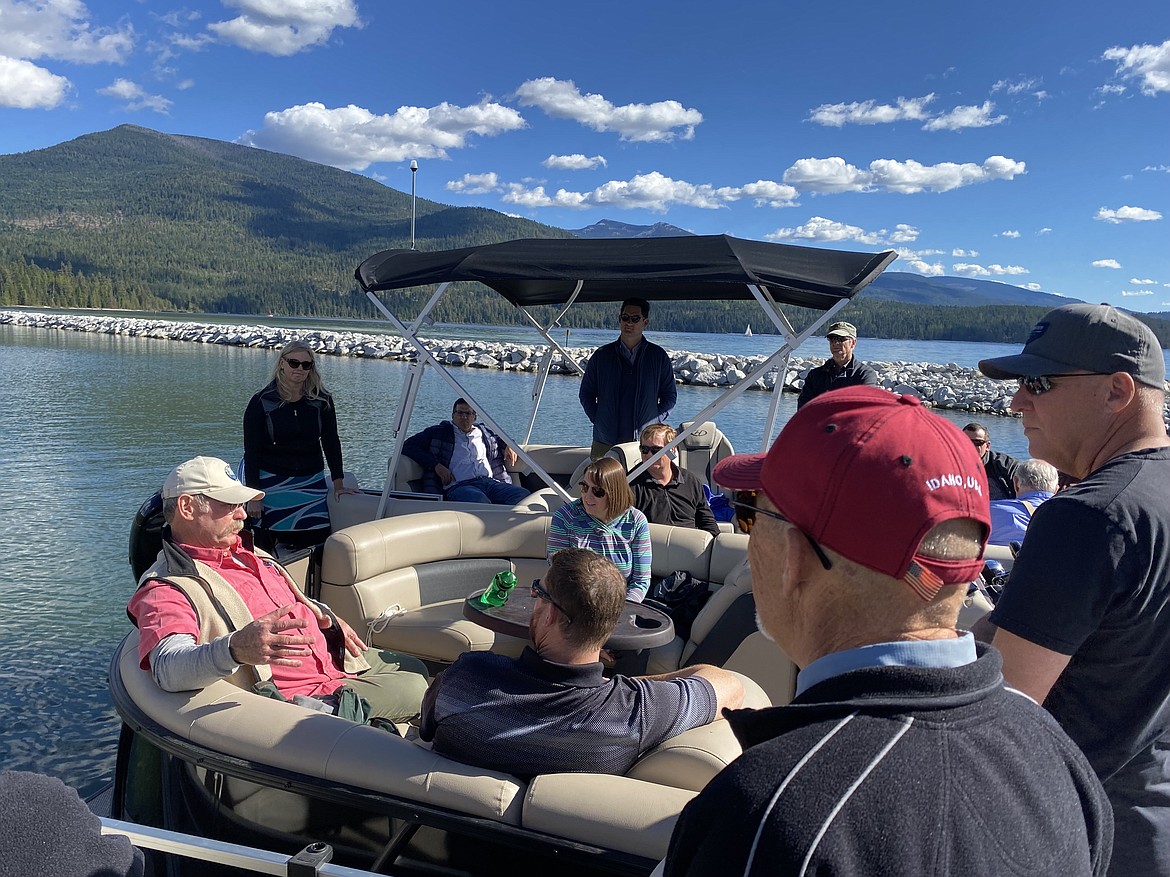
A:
(638, 123)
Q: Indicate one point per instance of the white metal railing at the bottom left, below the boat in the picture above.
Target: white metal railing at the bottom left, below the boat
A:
(313, 860)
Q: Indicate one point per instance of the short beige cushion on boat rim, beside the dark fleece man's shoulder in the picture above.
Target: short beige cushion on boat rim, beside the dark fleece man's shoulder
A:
(616, 813)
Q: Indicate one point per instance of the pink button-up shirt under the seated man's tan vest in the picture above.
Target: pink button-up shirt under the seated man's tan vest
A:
(162, 610)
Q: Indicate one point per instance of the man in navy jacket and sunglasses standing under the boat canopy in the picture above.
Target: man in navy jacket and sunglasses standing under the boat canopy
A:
(628, 384)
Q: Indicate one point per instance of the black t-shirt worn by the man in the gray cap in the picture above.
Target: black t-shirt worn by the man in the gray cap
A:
(1093, 582)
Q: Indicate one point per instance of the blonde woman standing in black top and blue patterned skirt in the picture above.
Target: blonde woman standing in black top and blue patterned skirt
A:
(290, 436)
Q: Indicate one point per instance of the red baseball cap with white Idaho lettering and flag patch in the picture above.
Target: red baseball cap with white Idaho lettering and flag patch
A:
(869, 474)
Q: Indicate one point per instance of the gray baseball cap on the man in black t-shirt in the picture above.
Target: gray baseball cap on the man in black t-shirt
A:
(1085, 339)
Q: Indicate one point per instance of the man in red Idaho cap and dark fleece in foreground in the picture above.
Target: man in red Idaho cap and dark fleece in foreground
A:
(903, 752)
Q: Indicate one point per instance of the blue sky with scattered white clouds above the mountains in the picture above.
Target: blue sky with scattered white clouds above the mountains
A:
(1023, 142)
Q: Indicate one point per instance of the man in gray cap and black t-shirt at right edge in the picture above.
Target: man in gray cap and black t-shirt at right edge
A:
(1084, 624)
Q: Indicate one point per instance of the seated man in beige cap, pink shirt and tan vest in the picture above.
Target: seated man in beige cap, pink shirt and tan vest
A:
(214, 609)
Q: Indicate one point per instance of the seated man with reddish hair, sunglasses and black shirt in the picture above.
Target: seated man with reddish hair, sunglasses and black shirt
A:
(667, 494)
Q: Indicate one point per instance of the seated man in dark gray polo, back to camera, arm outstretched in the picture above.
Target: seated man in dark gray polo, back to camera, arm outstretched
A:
(552, 710)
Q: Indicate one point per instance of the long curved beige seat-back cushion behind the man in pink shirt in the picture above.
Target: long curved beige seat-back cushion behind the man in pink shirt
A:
(288, 737)
